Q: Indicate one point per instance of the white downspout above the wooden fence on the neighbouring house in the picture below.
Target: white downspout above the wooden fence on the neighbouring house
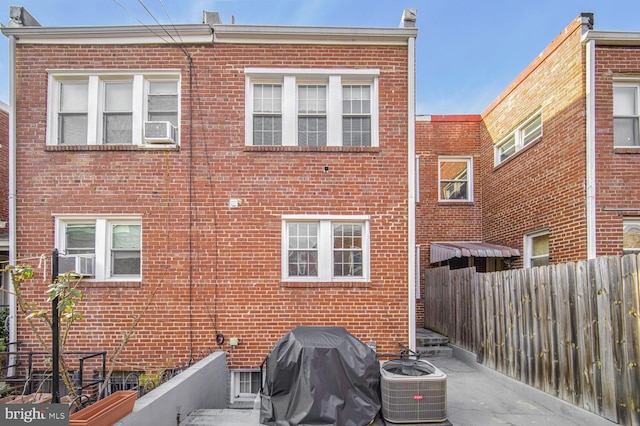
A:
(591, 148)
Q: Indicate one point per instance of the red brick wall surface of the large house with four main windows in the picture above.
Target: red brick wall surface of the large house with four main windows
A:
(227, 279)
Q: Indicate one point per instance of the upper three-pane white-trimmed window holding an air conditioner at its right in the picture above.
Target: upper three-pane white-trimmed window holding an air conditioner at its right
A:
(113, 108)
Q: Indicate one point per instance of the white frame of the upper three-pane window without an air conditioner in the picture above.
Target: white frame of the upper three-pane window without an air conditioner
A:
(290, 79)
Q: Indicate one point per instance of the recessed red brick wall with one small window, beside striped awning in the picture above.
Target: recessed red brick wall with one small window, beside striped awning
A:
(445, 221)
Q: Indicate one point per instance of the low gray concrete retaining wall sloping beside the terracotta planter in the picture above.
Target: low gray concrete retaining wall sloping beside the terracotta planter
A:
(203, 385)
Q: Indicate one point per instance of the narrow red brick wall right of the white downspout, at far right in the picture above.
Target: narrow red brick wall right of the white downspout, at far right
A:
(617, 171)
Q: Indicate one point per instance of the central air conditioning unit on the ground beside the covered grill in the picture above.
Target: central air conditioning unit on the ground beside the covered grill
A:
(413, 391)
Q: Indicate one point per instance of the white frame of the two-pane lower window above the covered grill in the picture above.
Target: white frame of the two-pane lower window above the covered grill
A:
(325, 247)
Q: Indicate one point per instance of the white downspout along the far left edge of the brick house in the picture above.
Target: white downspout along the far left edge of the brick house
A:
(13, 310)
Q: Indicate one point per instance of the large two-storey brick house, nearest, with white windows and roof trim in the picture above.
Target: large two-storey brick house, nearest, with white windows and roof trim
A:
(270, 188)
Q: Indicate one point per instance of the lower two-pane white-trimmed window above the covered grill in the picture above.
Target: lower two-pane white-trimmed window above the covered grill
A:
(325, 248)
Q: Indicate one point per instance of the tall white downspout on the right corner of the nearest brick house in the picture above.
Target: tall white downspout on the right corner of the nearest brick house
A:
(409, 20)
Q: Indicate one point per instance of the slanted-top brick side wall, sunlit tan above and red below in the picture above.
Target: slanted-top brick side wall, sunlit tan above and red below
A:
(542, 186)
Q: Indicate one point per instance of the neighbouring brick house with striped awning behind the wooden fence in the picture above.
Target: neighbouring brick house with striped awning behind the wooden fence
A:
(549, 180)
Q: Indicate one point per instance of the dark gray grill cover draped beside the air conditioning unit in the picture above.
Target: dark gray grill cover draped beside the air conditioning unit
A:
(320, 376)
